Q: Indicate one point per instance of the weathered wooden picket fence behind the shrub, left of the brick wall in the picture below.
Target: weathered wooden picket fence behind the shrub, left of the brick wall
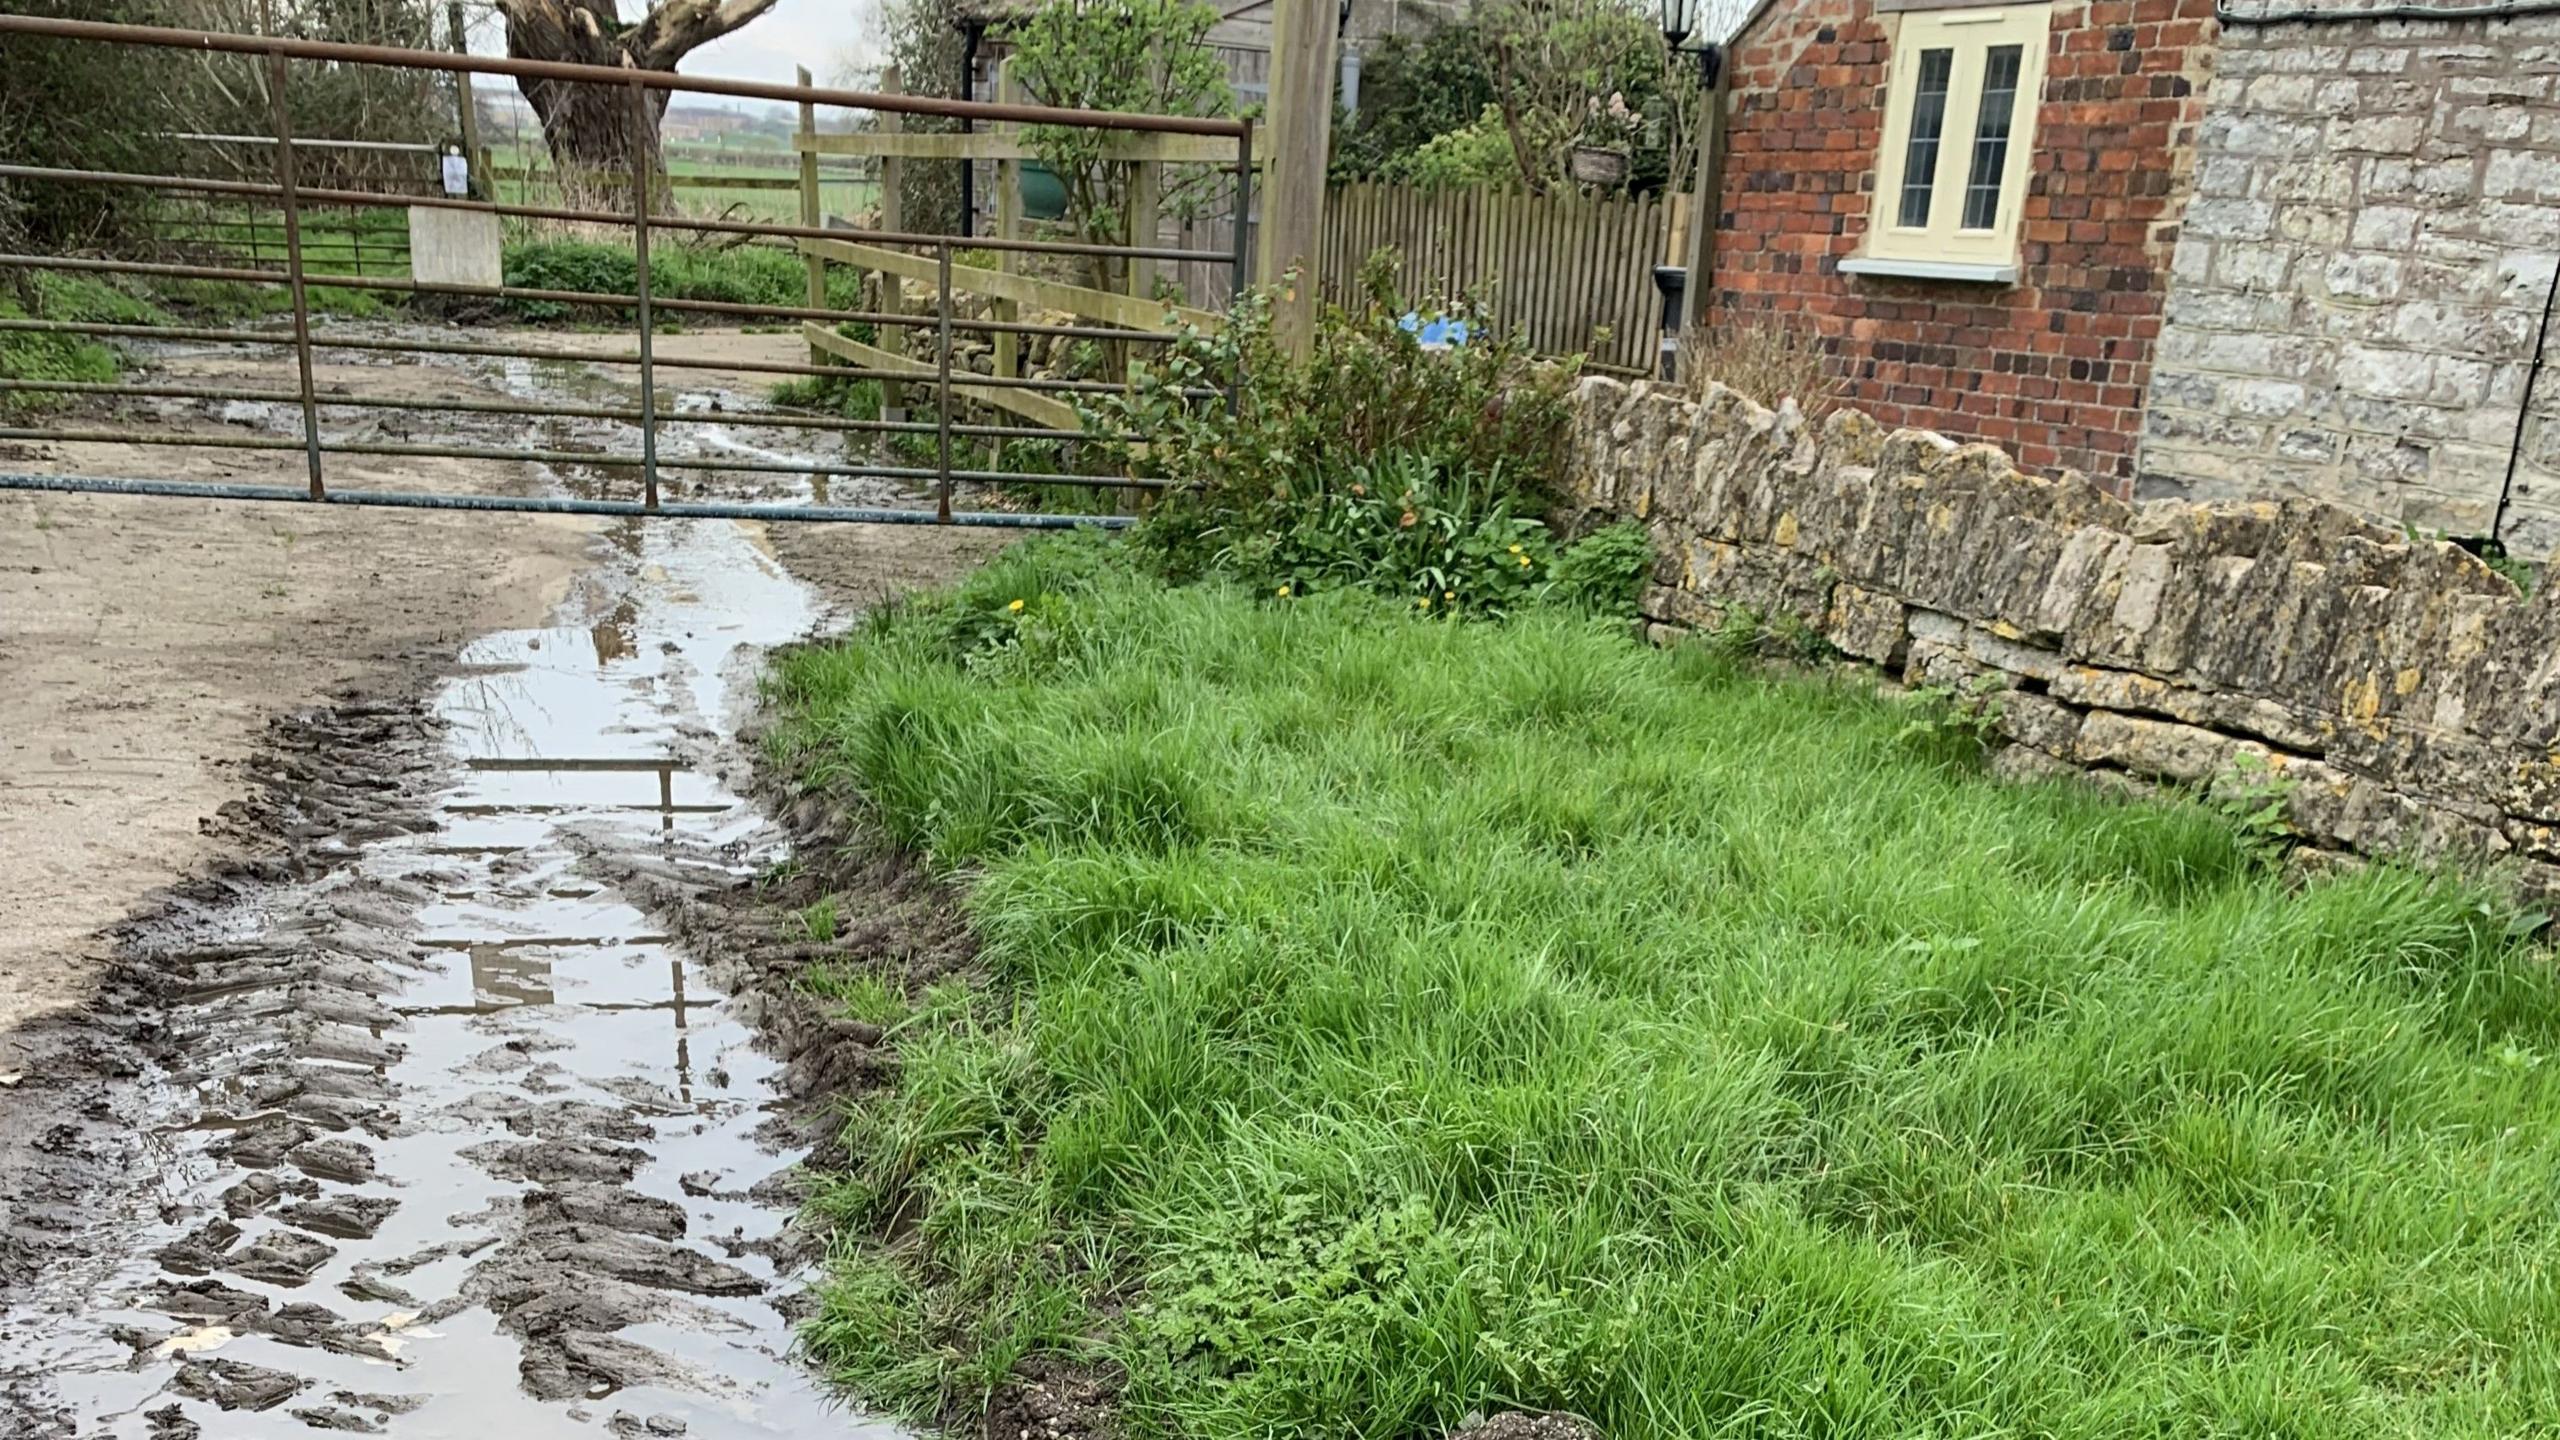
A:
(1571, 273)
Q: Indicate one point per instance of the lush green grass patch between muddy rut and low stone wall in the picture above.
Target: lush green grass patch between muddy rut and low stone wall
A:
(1391, 1019)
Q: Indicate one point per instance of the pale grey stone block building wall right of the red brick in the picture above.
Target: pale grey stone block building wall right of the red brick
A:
(2364, 275)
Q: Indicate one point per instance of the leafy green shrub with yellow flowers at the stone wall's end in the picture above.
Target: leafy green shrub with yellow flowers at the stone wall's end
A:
(1417, 473)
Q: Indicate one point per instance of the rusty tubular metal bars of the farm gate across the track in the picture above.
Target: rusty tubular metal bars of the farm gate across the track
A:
(298, 278)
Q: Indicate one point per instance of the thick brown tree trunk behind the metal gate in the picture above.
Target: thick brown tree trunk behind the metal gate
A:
(595, 132)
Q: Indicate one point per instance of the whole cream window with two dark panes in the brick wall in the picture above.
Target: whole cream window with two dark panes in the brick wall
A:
(1960, 129)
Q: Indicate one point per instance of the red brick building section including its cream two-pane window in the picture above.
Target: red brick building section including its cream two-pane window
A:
(1972, 204)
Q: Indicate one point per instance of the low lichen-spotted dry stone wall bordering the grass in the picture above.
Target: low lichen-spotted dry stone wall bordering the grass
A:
(2405, 696)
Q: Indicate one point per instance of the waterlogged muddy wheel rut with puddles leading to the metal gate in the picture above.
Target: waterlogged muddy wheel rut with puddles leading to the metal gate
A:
(449, 1141)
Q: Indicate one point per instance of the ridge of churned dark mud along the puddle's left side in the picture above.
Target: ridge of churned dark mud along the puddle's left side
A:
(278, 1034)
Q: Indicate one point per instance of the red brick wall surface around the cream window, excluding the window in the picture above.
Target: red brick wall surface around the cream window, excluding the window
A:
(2052, 368)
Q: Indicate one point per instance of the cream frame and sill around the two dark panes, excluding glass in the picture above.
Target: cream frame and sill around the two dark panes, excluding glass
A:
(1944, 247)
